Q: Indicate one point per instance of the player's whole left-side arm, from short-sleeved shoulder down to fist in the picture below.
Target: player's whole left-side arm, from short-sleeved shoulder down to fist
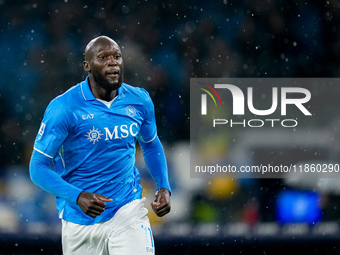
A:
(54, 129)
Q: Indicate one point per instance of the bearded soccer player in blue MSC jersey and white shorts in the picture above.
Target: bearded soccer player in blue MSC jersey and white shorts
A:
(84, 154)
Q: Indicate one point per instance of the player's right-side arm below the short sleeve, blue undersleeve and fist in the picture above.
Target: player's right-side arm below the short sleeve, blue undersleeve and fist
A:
(155, 160)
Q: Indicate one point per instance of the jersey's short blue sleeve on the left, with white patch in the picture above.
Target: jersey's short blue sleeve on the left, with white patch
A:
(53, 130)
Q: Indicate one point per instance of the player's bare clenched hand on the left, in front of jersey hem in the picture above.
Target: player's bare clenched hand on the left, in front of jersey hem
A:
(92, 204)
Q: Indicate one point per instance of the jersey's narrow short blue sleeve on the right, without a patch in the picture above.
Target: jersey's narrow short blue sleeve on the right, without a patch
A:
(148, 130)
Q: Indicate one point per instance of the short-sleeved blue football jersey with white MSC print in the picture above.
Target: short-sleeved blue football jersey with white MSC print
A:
(92, 145)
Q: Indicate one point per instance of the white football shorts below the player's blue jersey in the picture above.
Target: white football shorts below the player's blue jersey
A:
(128, 232)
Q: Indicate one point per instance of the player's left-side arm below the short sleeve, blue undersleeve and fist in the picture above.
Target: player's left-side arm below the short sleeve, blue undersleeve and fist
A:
(91, 203)
